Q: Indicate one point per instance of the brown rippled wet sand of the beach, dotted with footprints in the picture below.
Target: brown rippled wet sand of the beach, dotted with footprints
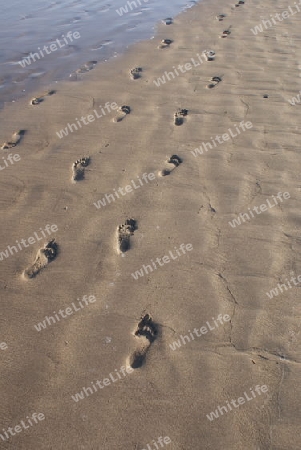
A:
(155, 299)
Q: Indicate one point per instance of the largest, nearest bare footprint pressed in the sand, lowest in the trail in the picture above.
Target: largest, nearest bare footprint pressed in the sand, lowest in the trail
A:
(146, 332)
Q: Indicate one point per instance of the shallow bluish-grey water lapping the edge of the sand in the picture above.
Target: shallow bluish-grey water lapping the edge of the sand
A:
(32, 24)
